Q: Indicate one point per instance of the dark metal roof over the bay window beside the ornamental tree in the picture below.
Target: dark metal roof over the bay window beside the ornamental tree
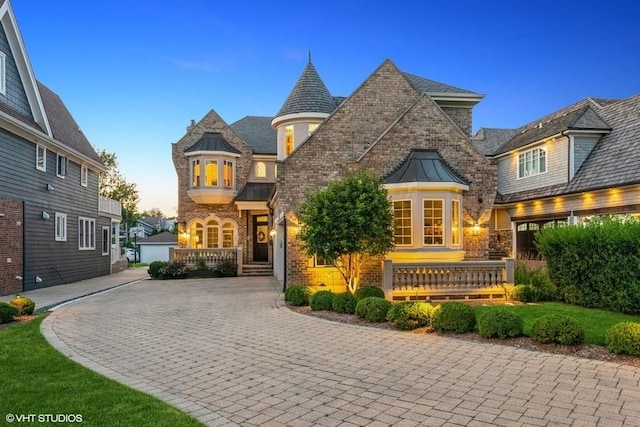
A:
(424, 166)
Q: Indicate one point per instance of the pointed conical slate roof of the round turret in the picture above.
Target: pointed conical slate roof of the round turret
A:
(309, 95)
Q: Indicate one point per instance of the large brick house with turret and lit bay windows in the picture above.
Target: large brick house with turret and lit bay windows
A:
(414, 132)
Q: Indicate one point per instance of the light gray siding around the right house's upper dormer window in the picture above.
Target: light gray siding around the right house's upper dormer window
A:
(557, 169)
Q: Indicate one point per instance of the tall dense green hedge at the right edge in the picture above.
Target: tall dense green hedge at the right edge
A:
(595, 265)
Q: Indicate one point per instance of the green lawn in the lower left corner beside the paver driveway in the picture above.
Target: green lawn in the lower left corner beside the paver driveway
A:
(37, 379)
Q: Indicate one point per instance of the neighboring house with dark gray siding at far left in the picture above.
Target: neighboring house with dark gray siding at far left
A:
(56, 227)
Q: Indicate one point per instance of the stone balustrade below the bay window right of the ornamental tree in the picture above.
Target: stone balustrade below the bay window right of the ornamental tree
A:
(456, 280)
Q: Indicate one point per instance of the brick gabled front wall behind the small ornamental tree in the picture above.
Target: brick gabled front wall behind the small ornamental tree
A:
(377, 127)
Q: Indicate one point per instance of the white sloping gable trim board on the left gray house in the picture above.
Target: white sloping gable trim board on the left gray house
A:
(8, 21)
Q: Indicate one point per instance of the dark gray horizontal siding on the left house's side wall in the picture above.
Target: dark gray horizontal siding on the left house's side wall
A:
(54, 262)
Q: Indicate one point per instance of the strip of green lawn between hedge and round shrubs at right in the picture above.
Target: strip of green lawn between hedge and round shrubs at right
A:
(595, 322)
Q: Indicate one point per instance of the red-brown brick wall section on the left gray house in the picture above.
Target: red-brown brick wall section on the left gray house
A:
(11, 246)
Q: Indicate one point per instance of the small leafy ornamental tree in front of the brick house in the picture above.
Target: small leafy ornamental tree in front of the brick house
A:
(348, 223)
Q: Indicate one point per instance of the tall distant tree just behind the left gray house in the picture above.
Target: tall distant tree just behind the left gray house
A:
(114, 186)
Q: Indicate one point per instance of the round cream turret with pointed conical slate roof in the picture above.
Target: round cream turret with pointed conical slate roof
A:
(308, 104)
